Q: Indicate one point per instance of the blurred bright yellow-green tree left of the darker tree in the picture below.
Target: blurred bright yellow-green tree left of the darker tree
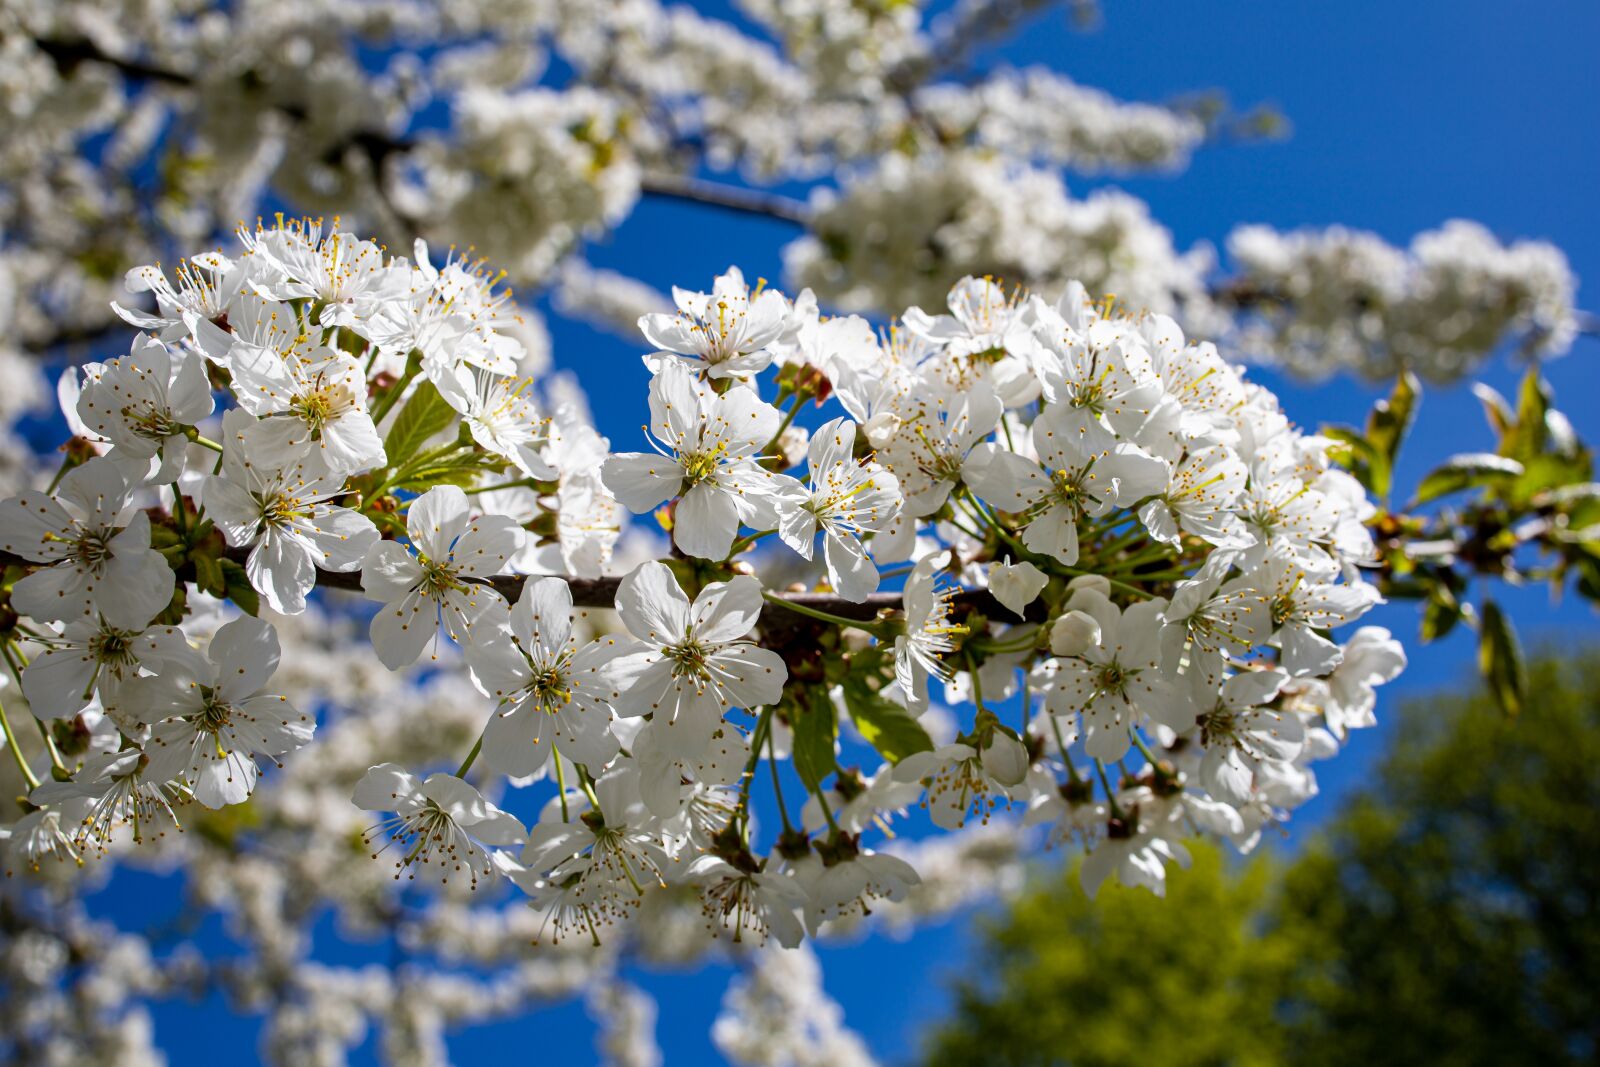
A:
(1122, 980)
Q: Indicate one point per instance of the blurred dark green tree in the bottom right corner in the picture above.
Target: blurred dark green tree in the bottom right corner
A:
(1460, 898)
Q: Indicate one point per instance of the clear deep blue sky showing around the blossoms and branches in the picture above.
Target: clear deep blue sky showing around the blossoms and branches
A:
(1406, 116)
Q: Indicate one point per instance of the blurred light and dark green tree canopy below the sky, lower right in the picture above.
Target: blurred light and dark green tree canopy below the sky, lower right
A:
(1446, 916)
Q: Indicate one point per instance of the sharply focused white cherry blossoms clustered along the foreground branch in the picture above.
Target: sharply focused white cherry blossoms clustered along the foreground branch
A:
(1121, 564)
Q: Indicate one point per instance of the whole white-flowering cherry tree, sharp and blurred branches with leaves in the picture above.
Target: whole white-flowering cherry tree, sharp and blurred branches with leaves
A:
(337, 599)
